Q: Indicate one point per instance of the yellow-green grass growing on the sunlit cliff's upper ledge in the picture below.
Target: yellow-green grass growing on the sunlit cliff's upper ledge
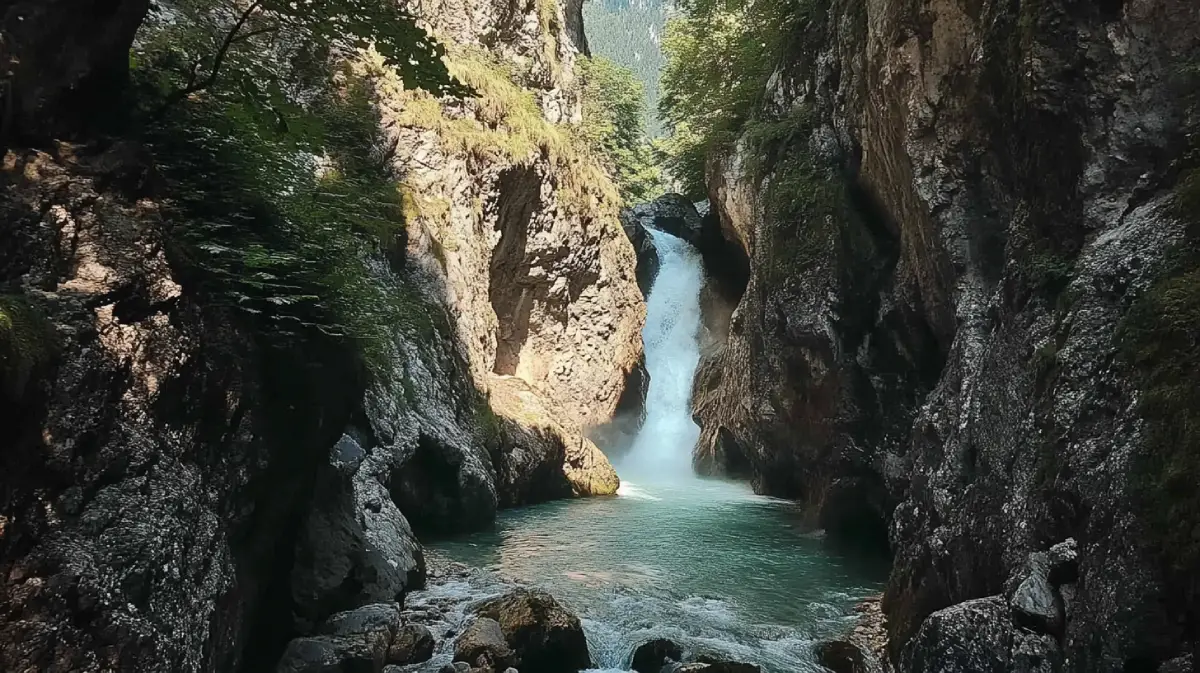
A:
(503, 123)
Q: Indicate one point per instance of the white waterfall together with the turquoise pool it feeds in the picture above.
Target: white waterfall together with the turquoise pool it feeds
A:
(705, 563)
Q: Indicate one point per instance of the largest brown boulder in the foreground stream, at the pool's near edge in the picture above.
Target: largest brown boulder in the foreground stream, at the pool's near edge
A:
(547, 636)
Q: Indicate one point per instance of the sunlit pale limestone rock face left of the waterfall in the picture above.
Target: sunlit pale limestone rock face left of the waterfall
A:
(538, 274)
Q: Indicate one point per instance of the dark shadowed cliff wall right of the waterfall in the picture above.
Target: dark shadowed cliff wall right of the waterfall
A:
(939, 359)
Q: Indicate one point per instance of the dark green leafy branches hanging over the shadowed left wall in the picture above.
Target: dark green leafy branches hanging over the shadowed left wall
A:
(283, 202)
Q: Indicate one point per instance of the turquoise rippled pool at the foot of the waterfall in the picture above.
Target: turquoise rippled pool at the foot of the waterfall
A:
(709, 566)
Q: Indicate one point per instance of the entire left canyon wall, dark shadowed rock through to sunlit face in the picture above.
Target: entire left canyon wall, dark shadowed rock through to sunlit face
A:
(190, 480)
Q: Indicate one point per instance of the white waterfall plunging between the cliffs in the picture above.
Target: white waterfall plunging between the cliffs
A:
(662, 452)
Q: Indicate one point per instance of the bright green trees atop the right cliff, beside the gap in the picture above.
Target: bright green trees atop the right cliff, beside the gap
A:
(721, 56)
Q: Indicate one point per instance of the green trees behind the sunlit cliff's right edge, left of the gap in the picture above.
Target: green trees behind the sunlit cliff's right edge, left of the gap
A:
(613, 128)
